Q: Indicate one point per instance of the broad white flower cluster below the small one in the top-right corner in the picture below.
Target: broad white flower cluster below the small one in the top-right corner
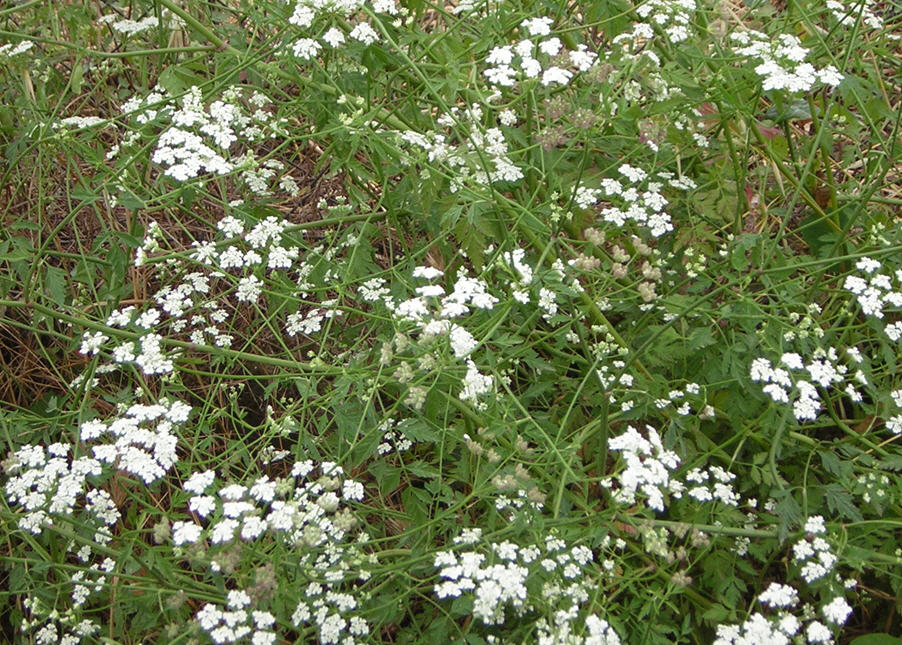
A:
(782, 63)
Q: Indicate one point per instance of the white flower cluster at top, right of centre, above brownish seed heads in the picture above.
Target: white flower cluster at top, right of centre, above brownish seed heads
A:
(512, 63)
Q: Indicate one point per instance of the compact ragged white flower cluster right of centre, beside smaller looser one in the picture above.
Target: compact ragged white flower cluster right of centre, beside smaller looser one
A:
(647, 471)
